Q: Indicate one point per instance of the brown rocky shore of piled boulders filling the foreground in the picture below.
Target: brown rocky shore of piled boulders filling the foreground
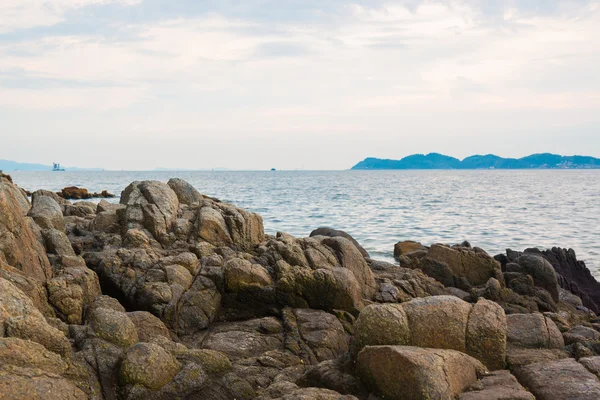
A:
(175, 295)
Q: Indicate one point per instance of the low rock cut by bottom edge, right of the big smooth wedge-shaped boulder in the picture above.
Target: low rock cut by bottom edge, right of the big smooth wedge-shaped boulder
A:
(498, 385)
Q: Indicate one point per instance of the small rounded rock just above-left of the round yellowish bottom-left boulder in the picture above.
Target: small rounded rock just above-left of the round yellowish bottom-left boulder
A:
(113, 326)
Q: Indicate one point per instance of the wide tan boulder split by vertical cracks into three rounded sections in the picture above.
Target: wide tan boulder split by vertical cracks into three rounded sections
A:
(443, 322)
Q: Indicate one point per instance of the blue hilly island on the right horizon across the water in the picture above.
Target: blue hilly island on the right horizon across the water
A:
(490, 161)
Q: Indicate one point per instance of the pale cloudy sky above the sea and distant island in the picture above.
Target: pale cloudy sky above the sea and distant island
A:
(295, 84)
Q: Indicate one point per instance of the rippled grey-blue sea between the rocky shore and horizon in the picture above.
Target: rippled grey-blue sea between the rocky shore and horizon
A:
(492, 209)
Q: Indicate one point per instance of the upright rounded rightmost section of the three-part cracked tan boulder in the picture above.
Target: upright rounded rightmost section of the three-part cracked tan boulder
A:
(486, 334)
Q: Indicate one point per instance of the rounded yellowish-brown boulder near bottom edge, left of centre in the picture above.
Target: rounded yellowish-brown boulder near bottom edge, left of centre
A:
(148, 365)
